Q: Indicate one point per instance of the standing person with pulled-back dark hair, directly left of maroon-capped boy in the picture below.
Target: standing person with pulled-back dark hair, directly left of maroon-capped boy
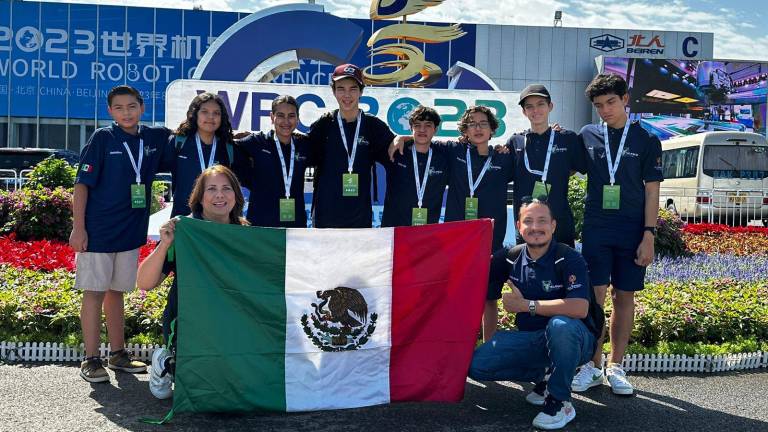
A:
(273, 166)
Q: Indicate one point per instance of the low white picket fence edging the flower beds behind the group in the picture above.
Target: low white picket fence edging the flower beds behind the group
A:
(55, 352)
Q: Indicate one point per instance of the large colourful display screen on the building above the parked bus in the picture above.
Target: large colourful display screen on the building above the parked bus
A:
(683, 97)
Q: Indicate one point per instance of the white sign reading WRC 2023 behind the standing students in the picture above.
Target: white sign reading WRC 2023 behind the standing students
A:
(249, 104)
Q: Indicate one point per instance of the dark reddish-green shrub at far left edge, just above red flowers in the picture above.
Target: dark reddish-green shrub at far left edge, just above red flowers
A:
(41, 214)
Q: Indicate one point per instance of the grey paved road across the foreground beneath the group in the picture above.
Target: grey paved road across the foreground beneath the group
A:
(36, 397)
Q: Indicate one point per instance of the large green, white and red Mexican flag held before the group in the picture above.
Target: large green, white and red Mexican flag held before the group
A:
(314, 319)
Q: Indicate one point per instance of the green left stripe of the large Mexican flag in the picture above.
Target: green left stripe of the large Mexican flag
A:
(231, 324)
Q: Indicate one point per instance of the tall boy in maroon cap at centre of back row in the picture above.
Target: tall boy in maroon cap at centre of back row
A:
(345, 144)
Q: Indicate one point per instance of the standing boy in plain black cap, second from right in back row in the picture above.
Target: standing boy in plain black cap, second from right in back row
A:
(545, 159)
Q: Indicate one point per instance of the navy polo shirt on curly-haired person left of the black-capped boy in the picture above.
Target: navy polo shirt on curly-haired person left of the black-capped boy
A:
(491, 194)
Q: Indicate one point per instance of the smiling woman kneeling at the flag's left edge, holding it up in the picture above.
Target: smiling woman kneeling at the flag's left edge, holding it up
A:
(215, 197)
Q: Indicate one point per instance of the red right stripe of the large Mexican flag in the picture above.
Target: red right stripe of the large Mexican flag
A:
(439, 284)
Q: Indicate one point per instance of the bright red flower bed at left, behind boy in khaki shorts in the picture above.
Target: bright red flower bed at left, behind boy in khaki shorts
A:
(45, 254)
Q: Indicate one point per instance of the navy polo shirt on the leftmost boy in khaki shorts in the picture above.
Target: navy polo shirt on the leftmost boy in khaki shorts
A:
(112, 225)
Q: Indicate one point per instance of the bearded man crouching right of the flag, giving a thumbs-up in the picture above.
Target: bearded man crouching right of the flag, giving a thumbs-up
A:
(550, 300)
